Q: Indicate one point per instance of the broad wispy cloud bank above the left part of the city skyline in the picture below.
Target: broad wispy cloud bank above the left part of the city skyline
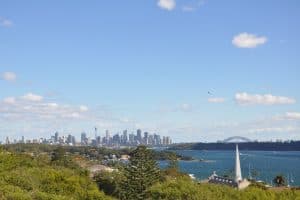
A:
(33, 115)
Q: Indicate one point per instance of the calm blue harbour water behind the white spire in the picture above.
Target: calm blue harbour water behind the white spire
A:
(265, 164)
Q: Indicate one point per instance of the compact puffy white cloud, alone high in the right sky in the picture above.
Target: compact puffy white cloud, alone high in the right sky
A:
(247, 40)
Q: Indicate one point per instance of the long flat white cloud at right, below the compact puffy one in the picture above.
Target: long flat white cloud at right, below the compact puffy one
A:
(266, 99)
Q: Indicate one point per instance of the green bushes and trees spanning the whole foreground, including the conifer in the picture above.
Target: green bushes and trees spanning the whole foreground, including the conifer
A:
(54, 176)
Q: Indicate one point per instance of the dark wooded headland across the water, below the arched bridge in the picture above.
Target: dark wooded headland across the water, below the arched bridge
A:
(247, 146)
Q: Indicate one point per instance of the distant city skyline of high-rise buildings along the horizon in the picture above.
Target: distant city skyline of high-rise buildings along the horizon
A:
(108, 140)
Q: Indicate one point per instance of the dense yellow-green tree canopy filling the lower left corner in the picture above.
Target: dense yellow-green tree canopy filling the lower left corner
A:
(25, 177)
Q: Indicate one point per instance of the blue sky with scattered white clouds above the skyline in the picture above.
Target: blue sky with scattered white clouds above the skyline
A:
(71, 66)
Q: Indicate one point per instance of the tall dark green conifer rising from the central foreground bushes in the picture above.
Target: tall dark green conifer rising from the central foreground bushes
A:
(140, 174)
